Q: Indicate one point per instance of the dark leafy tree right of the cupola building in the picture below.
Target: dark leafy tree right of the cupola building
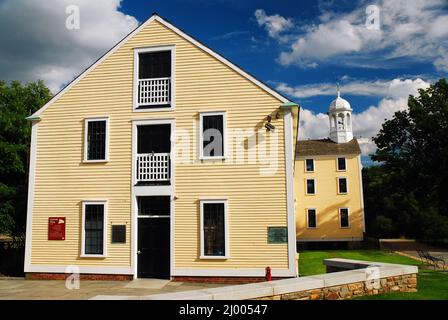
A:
(406, 195)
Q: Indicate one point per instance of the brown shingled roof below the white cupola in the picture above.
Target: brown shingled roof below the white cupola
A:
(326, 147)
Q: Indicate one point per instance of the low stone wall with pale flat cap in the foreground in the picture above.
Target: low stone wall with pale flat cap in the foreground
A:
(360, 278)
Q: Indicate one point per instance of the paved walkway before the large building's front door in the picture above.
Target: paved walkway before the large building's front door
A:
(19, 288)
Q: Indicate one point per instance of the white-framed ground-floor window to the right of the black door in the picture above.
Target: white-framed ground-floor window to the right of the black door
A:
(213, 224)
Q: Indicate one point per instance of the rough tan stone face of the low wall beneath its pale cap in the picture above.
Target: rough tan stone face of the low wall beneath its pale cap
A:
(404, 283)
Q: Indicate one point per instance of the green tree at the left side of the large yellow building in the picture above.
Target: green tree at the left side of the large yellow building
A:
(17, 101)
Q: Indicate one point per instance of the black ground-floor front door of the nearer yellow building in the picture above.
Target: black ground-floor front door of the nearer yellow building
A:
(153, 248)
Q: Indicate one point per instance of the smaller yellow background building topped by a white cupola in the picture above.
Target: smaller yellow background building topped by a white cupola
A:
(328, 182)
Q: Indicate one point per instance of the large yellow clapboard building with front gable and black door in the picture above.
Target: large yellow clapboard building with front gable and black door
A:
(163, 160)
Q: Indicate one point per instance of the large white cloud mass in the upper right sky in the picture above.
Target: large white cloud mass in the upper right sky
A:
(416, 30)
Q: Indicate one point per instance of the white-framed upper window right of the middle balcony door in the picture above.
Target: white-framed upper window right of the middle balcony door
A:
(212, 135)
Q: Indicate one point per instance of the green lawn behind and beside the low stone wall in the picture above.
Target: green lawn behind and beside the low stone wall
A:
(431, 284)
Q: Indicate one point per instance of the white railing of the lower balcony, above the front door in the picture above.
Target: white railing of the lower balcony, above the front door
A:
(152, 167)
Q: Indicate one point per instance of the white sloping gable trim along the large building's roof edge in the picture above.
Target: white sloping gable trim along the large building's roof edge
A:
(181, 33)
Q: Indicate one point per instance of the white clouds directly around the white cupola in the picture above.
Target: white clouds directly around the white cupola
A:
(366, 124)
